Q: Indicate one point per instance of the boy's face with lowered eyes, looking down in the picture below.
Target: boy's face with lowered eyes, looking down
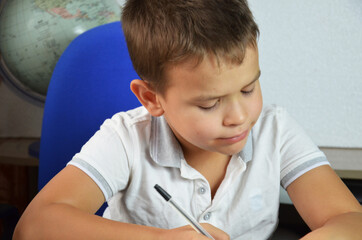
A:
(213, 109)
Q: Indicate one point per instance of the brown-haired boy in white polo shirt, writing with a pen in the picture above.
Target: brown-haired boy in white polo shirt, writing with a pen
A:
(201, 134)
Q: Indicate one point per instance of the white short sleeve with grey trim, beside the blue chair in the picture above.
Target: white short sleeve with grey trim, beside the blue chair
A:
(104, 157)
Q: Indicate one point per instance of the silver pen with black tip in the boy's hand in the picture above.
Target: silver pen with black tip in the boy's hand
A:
(188, 217)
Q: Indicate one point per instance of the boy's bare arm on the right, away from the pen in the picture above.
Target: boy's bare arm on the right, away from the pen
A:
(326, 205)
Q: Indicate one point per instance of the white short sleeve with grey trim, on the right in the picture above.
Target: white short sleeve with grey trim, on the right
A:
(298, 152)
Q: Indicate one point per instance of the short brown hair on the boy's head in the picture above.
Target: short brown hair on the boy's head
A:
(162, 33)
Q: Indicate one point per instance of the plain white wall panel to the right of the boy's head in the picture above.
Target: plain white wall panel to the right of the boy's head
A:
(311, 63)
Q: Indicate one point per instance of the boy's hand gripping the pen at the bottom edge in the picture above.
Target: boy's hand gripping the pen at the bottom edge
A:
(188, 233)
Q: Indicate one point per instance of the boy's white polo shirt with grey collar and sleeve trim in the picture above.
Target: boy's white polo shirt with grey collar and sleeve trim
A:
(133, 151)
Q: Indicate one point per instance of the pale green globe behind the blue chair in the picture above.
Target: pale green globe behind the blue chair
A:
(34, 34)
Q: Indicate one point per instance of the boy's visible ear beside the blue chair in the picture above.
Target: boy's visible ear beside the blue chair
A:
(147, 97)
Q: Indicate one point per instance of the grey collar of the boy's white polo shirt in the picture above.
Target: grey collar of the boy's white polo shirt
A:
(166, 151)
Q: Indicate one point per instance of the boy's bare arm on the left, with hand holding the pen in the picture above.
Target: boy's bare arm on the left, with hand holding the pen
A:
(65, 207)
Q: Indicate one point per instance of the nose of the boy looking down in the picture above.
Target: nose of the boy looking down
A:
(235, 115)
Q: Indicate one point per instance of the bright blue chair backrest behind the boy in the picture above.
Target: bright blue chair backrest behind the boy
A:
(89, 84)
